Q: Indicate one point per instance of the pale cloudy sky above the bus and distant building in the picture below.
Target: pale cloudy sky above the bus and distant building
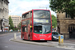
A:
(18, 7)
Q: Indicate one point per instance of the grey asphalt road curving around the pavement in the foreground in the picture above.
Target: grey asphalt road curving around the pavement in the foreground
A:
(6, 44)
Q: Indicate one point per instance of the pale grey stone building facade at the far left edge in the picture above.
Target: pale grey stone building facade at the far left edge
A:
(4, 22)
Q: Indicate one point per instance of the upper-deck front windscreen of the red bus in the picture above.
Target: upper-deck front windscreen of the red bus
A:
(41, 14)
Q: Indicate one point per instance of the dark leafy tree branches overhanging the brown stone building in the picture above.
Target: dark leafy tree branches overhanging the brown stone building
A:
(67, 6)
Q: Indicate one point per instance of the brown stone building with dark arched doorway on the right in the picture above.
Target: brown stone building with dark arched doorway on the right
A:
(65, 25)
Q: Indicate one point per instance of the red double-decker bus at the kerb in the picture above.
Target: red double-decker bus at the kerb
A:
(36, 25)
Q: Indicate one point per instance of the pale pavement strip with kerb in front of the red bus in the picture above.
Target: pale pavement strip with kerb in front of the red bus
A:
(68, 44)
